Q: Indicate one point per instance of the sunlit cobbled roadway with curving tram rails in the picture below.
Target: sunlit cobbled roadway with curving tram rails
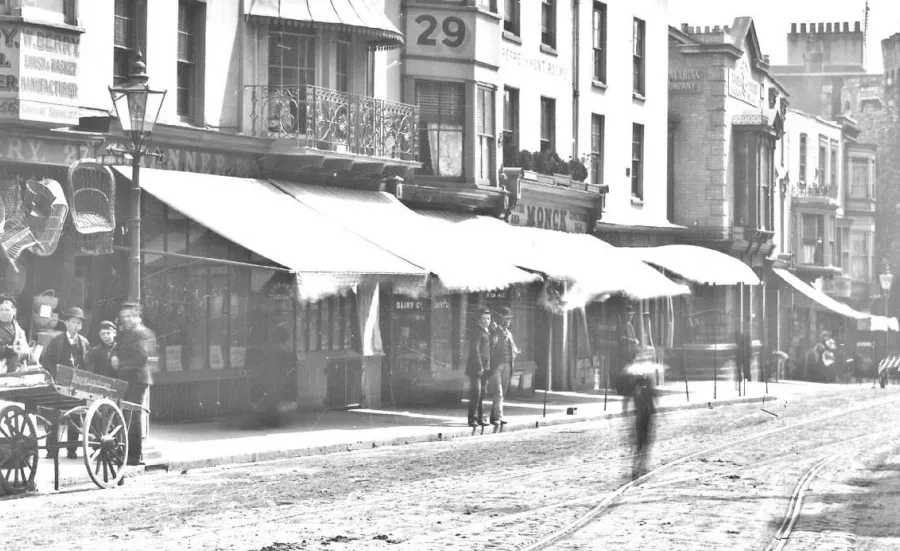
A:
(490, 492)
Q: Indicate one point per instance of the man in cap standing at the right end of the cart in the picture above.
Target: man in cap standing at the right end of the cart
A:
(137, 344)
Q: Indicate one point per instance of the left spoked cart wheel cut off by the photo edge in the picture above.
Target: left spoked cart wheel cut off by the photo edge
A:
(18, 450)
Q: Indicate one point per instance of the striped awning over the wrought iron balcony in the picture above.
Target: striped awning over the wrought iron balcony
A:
(355, 16)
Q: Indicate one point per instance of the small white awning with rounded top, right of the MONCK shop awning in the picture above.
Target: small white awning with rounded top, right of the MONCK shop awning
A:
(697, 264)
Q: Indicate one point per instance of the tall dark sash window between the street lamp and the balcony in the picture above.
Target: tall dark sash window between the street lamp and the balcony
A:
(191, 26)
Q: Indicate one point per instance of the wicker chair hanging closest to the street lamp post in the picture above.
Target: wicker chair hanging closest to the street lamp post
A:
(92, 187)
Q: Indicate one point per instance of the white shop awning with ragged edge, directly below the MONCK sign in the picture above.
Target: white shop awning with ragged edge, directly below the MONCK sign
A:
(592, 266)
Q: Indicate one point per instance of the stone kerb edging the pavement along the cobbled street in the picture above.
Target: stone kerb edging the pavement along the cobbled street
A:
(451, 434)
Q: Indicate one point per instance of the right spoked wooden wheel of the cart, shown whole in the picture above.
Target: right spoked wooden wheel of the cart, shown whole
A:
(105, 442)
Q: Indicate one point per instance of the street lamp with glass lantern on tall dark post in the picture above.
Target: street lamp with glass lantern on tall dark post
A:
(137, 108)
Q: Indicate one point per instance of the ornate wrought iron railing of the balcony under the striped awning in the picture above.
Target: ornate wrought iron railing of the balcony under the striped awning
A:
(329, 120)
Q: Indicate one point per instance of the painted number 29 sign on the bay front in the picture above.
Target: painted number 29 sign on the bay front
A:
(435, 34)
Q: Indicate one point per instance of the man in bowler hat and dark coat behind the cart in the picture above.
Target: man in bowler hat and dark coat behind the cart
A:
(70, 349)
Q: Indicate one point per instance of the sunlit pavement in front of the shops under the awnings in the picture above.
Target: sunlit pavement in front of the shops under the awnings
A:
(193, 445)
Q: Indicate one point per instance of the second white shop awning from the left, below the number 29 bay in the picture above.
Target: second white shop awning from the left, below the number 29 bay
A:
(382, 219)
